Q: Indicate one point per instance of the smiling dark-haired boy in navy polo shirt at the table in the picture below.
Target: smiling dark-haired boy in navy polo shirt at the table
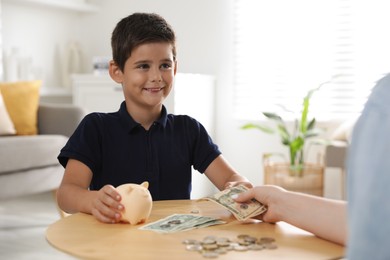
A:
(140, 142)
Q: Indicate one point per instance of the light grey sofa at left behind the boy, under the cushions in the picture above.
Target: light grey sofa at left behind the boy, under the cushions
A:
(28, 163)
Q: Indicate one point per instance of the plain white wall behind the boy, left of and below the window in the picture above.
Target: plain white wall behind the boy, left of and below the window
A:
(204, 32)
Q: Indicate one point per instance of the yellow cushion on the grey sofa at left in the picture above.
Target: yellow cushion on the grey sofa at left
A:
(21, 100)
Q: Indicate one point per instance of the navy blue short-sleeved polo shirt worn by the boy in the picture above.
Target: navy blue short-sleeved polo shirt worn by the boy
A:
(119, 150)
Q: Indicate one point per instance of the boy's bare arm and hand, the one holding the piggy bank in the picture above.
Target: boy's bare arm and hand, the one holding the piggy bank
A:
(74, 196)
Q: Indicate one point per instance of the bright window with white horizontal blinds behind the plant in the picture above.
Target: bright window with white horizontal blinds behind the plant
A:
(284, 48)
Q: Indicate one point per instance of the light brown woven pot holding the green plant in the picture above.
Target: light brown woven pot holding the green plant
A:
(309, 179)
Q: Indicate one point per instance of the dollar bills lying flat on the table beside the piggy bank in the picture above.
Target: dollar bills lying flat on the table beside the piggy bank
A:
(181, 222)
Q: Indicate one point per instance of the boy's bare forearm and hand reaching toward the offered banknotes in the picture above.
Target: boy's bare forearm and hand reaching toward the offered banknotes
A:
(223, 176)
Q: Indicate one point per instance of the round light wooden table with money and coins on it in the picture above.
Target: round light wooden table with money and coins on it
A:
(83, 236)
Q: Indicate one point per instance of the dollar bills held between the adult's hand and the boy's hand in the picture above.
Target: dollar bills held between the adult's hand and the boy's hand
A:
(242, 211)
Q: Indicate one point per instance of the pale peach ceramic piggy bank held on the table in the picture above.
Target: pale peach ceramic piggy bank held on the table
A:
(137, 201)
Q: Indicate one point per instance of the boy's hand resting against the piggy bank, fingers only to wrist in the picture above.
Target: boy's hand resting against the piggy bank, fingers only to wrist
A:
(106, 206)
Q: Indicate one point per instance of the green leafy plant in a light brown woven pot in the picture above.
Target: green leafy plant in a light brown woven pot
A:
(296, 173)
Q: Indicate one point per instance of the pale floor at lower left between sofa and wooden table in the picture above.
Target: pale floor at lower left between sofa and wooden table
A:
(23, 223)
